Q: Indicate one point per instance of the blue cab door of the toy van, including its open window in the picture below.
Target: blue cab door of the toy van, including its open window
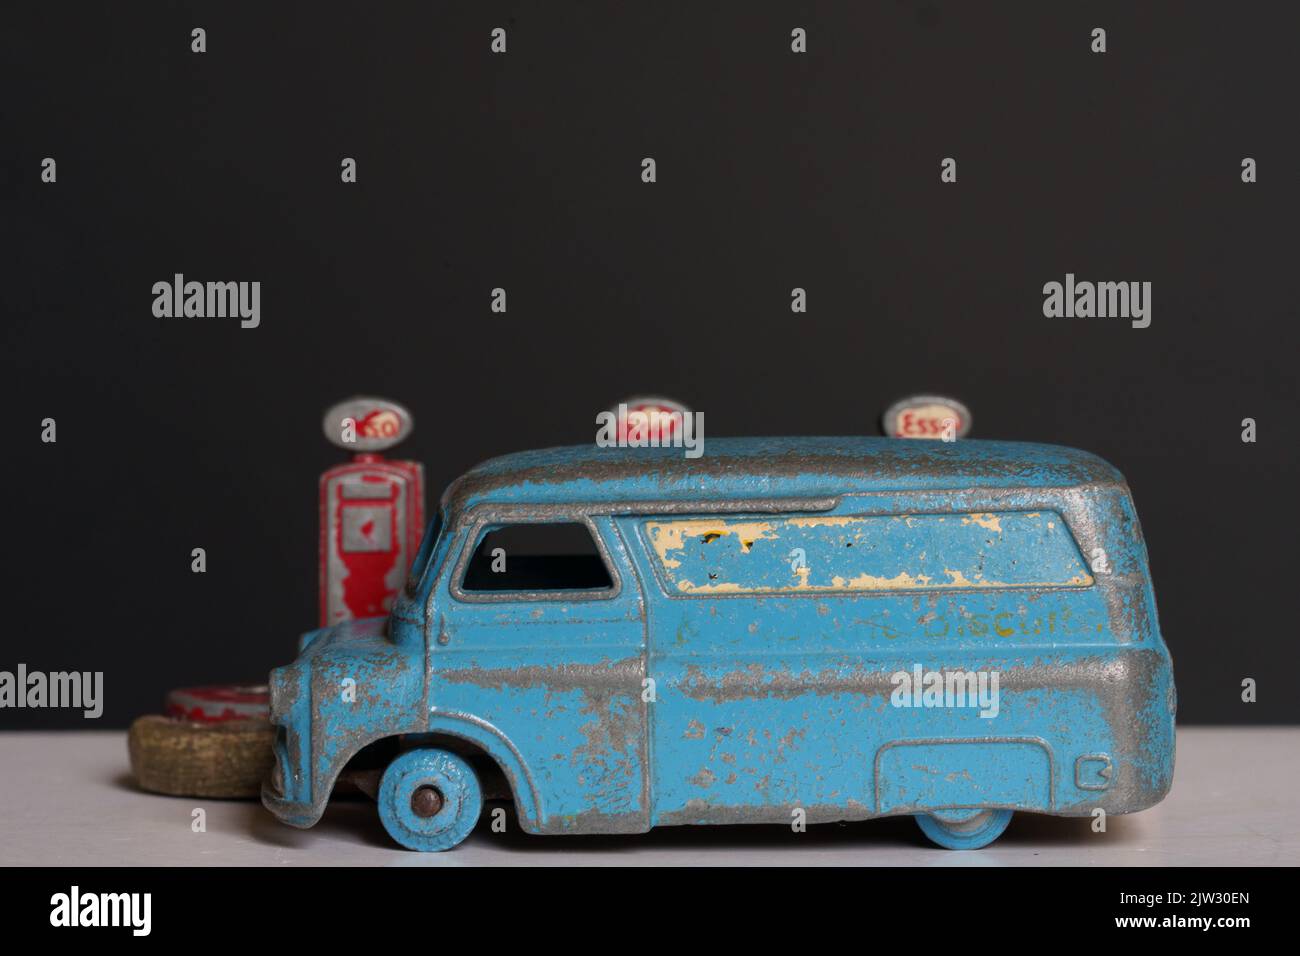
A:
(544, 641)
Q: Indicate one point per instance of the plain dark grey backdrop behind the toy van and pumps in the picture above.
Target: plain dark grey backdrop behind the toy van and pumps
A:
(523, 171)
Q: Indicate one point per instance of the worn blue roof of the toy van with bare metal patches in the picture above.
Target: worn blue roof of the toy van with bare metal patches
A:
(759, 469)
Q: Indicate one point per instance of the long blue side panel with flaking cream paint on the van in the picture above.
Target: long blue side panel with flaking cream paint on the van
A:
(866, 553)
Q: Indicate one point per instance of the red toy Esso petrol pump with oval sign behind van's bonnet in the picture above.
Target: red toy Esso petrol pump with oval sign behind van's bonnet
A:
(371, 512)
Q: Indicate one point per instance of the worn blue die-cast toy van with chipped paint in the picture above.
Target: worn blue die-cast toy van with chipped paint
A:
(782, 631)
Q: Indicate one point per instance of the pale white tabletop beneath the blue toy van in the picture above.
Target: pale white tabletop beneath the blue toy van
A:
(68, 799)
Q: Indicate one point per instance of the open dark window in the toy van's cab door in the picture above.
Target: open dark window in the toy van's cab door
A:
(538, 557)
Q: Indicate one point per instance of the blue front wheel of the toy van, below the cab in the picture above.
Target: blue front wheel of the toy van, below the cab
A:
(430, 801)
